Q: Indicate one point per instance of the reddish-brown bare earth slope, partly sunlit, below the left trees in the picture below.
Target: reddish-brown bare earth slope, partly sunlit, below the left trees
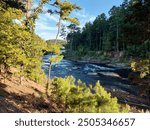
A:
(28, 97)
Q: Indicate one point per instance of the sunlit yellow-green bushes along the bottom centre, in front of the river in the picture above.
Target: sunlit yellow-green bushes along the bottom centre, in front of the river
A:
(77, 97)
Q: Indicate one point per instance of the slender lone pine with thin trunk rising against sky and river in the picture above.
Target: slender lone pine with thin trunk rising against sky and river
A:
(64, 10)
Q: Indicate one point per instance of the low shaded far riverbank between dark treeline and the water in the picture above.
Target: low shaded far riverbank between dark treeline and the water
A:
(112, 59)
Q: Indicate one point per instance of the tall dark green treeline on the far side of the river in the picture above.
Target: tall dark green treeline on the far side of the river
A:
(126, 29)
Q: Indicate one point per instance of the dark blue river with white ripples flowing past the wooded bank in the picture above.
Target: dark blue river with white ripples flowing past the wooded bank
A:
(111, 78)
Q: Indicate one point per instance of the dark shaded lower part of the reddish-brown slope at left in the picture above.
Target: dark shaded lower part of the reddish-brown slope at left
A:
(16, 103)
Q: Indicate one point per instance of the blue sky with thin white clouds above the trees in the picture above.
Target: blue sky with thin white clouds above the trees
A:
(46, 25)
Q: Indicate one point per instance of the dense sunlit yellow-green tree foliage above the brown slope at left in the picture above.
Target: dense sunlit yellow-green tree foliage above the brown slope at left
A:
(20, 48)
